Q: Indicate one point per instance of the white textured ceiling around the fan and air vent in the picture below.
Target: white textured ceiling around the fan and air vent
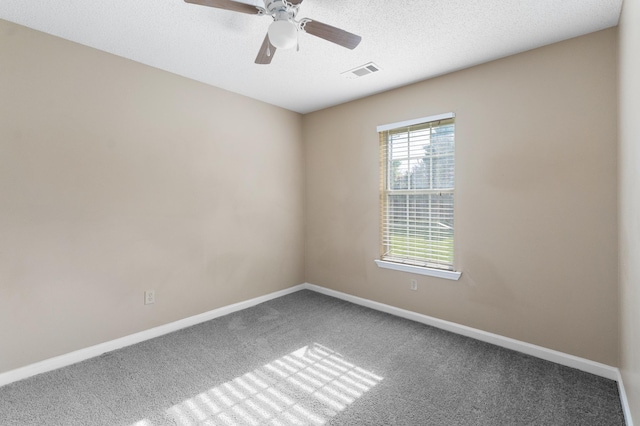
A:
(409, 40)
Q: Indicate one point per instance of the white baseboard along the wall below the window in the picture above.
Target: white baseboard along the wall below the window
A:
(561, 358)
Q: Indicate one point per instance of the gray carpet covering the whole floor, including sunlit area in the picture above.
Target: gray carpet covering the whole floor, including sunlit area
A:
(307, 358)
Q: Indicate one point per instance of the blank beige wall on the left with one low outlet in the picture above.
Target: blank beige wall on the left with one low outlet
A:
(115, 178)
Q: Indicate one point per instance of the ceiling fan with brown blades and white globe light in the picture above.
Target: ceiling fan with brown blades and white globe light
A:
(283, 31)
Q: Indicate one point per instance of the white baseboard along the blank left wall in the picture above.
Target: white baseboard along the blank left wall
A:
(93, 351)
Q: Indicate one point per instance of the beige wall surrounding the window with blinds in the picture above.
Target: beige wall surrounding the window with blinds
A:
(536, 197)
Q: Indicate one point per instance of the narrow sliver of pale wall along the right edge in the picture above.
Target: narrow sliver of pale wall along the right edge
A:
(630, 203)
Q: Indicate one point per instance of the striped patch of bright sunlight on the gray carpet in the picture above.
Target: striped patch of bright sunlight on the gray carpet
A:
(307, 386)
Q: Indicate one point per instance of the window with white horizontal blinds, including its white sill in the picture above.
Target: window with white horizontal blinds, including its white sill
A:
(417, 195)
